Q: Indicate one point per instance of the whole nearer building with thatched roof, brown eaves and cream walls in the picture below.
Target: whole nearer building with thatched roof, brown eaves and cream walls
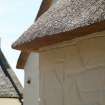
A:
(63, 54)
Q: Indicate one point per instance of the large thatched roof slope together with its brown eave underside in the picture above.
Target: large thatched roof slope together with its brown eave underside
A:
(64, 16)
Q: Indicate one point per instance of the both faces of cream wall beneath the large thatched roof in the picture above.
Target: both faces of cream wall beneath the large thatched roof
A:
(68, 73)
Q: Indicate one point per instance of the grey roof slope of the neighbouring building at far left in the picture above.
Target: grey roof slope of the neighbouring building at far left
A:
(7, 88)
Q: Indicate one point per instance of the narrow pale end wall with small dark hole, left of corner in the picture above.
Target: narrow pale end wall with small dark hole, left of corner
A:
(31, 90)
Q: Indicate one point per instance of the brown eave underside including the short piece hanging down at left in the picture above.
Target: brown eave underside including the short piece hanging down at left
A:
(49, 40)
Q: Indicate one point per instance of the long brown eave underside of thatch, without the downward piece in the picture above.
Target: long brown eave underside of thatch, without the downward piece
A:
(34, 45)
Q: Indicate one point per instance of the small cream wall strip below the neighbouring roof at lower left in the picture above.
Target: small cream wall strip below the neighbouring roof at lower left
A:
(9, 101)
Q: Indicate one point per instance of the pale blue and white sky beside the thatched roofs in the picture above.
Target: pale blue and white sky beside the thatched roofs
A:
(15, 17)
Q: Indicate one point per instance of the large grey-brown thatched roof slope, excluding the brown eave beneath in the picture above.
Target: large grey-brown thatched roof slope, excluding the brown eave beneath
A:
(64, 16)
